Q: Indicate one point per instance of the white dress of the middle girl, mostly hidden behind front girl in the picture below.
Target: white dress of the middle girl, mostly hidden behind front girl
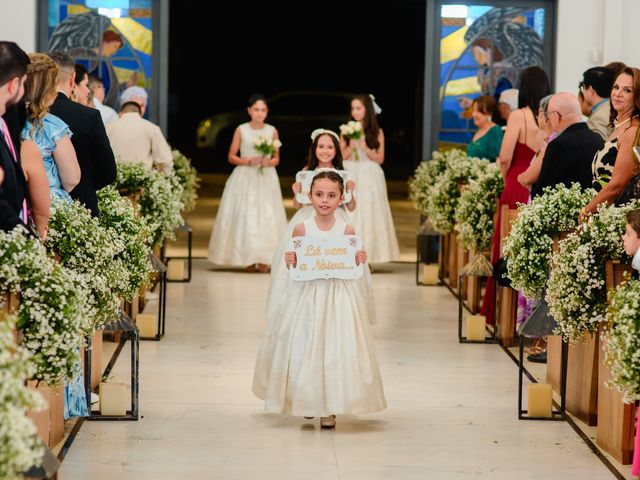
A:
(280, 279)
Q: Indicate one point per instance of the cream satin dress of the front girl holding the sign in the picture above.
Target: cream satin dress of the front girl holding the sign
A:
(318, 357)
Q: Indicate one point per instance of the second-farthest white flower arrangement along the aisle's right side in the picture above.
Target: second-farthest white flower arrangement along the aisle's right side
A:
(444, 194)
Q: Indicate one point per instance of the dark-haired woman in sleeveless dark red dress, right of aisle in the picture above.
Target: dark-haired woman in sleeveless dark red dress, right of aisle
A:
(522, 139)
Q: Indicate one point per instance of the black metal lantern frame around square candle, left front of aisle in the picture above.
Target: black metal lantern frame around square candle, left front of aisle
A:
(128, 331)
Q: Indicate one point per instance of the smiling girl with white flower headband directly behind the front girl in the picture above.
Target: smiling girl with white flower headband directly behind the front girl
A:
(324, 153)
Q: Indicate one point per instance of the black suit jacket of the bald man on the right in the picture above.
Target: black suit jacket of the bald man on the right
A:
(568, 158)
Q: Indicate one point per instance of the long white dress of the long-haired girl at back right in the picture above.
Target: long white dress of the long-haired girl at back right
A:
(372, 218)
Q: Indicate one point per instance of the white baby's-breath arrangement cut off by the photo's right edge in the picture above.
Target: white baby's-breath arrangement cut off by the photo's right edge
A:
(622, 341)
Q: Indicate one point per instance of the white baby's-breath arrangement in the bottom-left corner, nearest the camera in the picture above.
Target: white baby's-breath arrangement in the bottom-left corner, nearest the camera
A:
(20, 448)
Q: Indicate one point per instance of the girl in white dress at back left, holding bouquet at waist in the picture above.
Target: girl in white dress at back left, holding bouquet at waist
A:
(251, 217)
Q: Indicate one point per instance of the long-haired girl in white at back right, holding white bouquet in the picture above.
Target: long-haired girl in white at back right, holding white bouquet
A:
(364, 153)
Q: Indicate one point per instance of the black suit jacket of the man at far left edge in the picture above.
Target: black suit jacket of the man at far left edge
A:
(13, 189)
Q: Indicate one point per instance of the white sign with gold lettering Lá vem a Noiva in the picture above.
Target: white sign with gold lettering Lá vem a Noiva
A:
(331, 257)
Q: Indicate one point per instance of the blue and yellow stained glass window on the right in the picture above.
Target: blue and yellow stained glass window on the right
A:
(483, 49)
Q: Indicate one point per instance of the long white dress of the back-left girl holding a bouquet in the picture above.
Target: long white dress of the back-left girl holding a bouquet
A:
(251, 217)
